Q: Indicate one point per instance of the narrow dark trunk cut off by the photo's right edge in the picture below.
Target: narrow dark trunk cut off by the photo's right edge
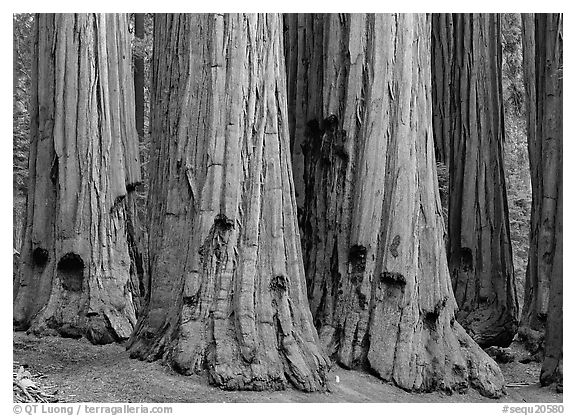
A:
(542, 45)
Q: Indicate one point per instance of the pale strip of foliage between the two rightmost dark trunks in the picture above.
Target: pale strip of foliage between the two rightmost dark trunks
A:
(516, 160)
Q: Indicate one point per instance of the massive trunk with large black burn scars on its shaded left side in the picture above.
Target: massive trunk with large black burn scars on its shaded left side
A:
(378, 282)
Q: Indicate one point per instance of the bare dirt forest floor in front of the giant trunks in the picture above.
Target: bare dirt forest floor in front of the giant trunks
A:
(77, 371)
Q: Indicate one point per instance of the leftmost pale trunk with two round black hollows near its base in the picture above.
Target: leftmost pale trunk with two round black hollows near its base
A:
(77, 276)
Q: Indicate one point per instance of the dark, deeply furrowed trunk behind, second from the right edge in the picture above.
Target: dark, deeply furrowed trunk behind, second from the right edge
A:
(469, 134)
